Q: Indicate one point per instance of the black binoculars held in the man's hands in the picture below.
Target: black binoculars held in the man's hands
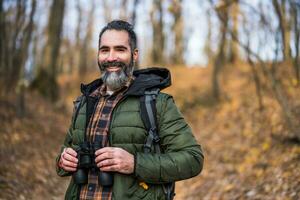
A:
(86, 162)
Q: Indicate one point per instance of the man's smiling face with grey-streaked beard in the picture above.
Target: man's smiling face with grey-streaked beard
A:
(115, 58)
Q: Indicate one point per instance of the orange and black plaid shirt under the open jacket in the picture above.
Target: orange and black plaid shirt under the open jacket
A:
(98, 130)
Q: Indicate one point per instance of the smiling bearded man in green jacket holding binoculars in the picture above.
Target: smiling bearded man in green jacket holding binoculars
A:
(108, 121)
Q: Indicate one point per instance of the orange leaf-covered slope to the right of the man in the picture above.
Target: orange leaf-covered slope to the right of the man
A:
(249, 153)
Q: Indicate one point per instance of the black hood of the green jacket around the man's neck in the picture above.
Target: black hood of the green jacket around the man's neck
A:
(148, 78)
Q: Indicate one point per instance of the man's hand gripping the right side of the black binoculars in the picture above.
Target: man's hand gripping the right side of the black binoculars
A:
(114, 159)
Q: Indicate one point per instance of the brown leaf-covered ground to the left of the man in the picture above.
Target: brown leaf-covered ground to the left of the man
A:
(28, 147)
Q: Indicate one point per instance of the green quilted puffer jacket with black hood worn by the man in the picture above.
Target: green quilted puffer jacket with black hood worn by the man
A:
(182, 157)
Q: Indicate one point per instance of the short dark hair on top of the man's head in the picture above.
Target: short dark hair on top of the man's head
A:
(121, 25)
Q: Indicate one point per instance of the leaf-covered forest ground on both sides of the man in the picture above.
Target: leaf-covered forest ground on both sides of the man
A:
(248, 152)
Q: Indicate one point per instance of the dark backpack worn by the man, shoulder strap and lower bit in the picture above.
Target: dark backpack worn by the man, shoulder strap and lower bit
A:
(148, 115)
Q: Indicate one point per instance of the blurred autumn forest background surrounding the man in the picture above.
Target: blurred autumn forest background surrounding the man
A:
(236, 77)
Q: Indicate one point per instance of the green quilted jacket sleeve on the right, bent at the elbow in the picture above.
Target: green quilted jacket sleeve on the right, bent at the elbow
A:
(182, 157)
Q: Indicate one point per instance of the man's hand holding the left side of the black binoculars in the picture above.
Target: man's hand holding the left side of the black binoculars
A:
(68, 160)
